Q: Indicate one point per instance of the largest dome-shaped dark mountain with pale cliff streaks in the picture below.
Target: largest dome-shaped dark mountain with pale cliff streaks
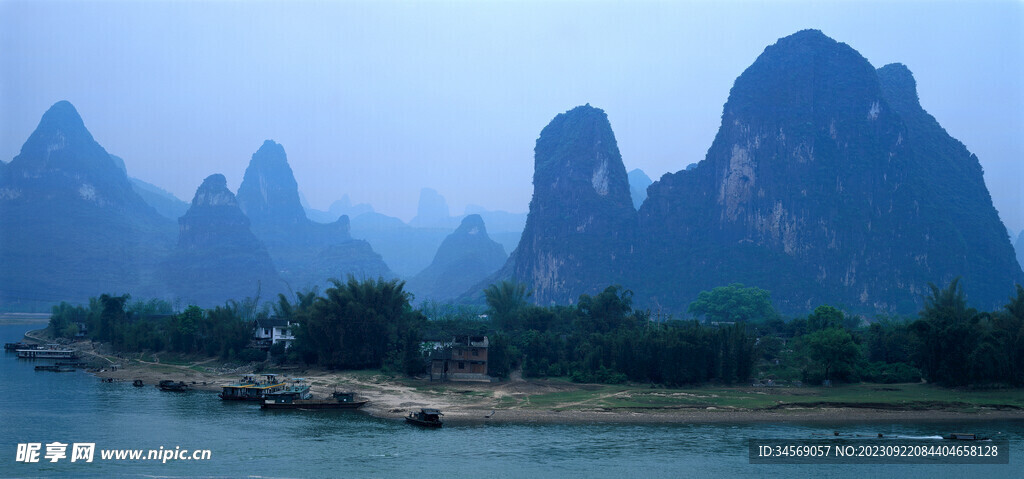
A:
(821, 189)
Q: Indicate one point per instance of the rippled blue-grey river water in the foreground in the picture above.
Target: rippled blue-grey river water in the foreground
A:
(245, 442)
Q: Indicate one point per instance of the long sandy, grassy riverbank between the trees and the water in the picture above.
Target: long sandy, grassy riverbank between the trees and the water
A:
(506, 403)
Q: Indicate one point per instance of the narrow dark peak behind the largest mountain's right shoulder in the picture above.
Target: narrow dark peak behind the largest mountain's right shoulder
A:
(950, 210)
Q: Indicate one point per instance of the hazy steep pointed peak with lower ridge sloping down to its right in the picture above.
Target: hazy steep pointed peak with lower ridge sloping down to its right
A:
(307, 253)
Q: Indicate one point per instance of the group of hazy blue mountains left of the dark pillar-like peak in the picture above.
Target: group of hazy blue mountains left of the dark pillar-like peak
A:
(76, 226)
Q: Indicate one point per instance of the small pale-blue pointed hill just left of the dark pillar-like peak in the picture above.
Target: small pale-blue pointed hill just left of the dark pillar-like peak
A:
(465, 258)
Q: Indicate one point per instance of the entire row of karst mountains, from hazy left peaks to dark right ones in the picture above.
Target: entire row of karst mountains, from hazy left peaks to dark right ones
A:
(827, 184)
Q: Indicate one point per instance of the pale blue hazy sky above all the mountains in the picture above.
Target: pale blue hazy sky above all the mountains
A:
(379, 100)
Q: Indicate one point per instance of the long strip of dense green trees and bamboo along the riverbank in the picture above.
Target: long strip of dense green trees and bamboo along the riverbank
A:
(602, 338)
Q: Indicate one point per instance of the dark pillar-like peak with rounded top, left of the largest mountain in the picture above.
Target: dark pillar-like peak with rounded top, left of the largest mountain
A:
(581, 221)
